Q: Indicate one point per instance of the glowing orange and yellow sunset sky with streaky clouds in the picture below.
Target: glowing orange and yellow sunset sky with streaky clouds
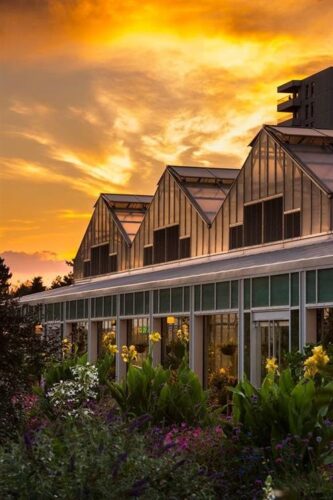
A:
(98, 96)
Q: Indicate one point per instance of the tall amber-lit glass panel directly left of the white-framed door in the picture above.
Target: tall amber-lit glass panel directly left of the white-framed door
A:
(220, 353)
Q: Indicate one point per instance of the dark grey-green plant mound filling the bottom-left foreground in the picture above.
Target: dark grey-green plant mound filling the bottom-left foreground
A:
(85, 458)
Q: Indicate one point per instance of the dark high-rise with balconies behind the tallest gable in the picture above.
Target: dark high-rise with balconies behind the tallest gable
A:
(309, 102)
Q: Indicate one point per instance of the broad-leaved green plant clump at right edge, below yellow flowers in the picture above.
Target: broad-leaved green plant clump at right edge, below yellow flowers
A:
(282, 407)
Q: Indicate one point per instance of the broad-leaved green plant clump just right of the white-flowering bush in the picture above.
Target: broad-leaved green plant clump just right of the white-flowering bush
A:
(165, 395)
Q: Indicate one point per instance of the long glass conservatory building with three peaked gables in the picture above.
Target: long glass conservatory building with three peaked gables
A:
(240, 261)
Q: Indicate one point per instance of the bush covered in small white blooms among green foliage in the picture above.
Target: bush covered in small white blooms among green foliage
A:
(70, 397)
